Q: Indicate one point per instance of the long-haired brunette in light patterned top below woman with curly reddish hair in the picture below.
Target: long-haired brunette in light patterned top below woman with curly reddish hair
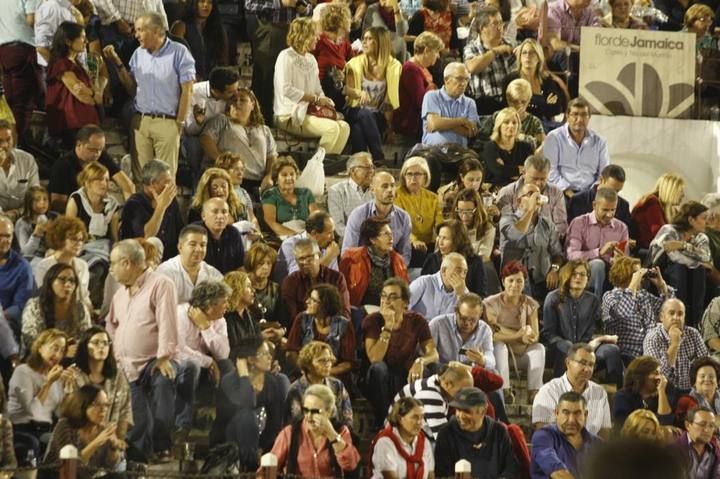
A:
(58, 305)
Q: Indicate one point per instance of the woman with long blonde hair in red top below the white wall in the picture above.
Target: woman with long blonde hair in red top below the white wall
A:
(657, 208)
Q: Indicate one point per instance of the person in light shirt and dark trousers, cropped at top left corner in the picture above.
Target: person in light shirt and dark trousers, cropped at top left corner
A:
(17, 59)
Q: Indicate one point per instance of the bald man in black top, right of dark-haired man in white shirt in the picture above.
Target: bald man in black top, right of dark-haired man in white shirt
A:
(225, 248)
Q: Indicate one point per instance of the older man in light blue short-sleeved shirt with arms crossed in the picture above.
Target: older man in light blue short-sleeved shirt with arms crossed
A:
(448, 115)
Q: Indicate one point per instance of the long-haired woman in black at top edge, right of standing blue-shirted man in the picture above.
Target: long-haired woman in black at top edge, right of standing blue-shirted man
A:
(202, 29)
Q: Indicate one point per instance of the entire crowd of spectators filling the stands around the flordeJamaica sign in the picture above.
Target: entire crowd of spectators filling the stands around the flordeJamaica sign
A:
(427, 290)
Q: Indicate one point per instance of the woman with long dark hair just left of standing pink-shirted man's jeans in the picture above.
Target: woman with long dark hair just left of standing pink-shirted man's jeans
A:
(96, 365)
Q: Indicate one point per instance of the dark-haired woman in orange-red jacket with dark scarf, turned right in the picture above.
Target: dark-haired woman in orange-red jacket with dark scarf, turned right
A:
(367, 267)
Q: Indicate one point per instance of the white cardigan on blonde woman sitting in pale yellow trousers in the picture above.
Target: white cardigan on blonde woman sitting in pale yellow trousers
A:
(295, 75)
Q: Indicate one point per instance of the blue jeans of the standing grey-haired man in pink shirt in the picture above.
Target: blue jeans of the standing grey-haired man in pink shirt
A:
(152, 394)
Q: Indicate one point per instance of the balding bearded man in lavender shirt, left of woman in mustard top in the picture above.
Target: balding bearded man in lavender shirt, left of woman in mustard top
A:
(383, 188)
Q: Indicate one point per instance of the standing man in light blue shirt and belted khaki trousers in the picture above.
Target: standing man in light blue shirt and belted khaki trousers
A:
(162, 78)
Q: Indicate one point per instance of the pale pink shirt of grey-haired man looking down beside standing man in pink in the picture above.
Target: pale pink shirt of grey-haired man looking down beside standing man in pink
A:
(201, 346)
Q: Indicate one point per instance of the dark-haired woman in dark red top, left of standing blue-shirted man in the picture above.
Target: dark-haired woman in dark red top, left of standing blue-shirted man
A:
(72, 98)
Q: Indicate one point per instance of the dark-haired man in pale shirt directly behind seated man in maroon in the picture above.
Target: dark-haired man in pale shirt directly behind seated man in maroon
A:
(320, 227)
